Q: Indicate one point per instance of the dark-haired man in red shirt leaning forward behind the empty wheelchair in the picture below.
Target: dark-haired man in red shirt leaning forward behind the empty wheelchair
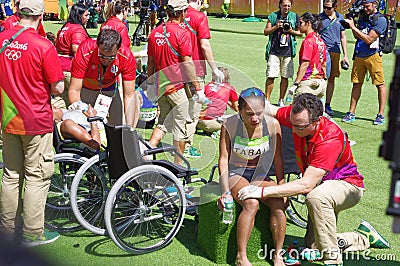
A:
(95, 70)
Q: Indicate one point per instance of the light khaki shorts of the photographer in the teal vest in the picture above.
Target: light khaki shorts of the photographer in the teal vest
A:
(280, 65)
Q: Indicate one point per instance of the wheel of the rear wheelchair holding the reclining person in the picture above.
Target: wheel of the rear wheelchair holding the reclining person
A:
(58, 212)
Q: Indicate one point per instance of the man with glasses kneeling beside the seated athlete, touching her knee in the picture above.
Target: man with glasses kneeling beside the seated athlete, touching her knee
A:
(330, 180)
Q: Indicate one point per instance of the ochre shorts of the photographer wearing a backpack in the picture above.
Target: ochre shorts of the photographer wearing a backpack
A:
(372, 64)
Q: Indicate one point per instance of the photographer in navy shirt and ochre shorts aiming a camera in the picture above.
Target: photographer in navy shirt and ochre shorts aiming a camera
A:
(367, 57)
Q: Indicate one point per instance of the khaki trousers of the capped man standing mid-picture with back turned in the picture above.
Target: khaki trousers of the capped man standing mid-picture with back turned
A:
(174, 115)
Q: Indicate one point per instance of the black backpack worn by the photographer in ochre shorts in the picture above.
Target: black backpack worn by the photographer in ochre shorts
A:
(387, 39)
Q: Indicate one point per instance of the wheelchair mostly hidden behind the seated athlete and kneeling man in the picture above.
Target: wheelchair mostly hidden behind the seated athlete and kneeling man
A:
(297, 209)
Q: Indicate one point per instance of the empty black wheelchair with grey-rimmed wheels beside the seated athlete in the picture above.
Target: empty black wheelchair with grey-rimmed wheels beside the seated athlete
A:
(139, 203)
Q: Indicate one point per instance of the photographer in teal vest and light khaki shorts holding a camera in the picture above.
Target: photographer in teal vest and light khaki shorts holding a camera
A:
(282, 28)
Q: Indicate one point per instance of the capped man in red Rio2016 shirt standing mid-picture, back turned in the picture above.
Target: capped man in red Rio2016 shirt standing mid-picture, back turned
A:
(170, 67)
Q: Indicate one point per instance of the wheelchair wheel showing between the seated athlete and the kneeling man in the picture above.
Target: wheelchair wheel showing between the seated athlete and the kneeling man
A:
(297, 210)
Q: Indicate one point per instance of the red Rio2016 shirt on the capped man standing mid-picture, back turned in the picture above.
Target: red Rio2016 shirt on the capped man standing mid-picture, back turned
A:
(163, 56)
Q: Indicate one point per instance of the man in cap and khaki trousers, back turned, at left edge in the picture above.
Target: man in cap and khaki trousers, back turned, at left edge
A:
(31, 72)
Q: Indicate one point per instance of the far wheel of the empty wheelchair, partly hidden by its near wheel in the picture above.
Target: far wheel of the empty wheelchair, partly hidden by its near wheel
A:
(88, 195)
